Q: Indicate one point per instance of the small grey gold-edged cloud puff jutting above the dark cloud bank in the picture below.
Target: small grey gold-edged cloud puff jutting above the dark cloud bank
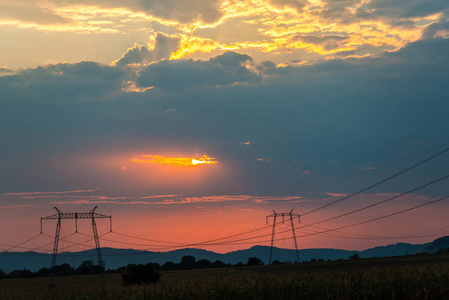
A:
(164, 46)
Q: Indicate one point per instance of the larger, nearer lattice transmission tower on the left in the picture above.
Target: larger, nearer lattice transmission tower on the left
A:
(89, 215)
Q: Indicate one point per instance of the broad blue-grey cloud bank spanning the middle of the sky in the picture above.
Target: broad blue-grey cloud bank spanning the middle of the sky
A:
(310, 118)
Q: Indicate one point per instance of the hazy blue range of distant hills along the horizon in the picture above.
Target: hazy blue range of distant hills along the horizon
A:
(116, 258)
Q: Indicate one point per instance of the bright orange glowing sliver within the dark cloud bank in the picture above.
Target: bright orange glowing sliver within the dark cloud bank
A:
(183, 161)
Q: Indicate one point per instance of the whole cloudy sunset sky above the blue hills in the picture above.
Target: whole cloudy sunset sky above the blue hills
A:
(188, 121)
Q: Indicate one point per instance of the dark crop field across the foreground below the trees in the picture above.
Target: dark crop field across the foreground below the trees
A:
(408, 277)
